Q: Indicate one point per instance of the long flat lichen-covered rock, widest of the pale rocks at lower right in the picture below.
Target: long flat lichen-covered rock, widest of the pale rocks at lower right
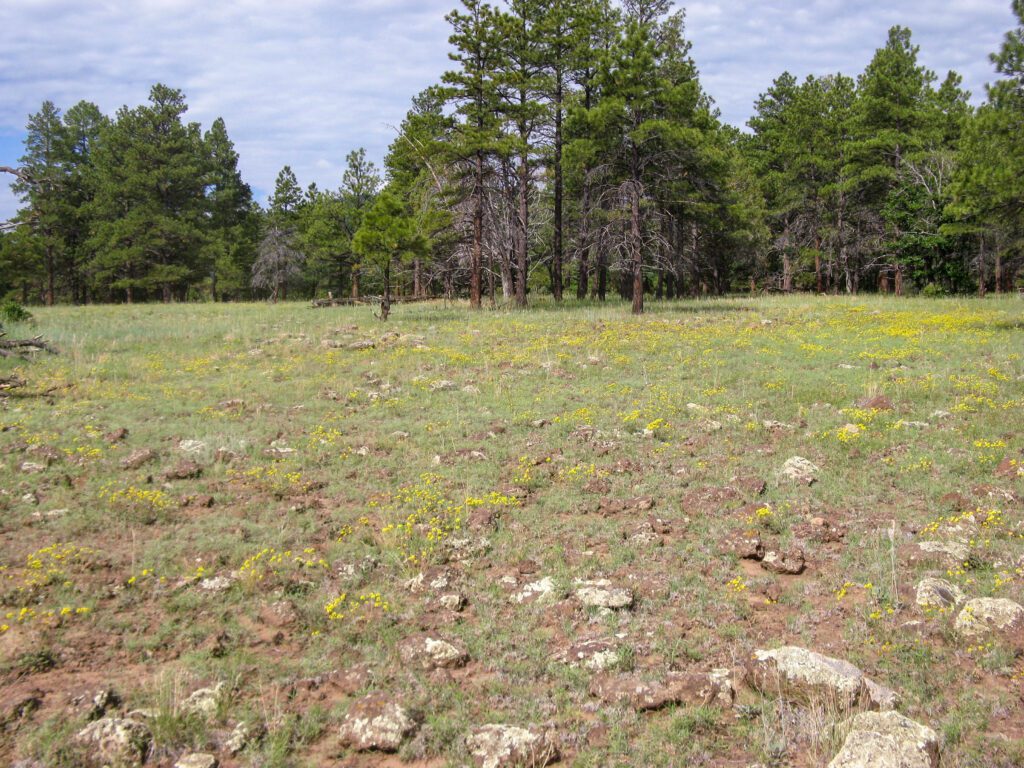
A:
(801, 674)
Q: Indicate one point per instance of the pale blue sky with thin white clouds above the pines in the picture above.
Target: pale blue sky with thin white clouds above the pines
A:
(305, 82)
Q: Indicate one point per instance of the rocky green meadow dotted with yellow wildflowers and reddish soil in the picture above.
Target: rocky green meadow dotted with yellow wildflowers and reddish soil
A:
(231, 525)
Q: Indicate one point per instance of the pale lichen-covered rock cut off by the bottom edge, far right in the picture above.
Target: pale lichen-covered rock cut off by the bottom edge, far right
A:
(887, 740)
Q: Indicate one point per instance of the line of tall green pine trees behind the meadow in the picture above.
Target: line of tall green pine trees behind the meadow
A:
(571, 149)
